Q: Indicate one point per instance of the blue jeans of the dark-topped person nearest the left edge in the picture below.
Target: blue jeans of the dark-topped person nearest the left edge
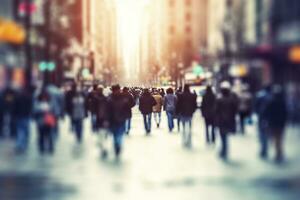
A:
(22, 133)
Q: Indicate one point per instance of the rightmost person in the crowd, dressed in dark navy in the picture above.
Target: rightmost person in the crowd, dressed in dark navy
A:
(276, 117)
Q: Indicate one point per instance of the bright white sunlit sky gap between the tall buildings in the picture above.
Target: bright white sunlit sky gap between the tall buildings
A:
(131, 23)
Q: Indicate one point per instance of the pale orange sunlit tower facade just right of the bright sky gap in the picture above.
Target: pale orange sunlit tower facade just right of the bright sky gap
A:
(186, 29)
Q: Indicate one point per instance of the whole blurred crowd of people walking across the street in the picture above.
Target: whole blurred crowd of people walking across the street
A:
(110, 112)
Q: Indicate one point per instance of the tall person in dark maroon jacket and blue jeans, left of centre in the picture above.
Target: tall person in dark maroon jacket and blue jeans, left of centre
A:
(117, 116)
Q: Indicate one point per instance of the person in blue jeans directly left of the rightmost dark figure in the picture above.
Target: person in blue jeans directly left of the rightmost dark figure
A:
(263, 98)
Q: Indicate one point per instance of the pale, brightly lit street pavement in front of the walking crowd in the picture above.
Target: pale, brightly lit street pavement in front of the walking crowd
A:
(151, 167)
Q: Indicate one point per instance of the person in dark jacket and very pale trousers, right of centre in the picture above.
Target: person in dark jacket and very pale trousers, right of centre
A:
(187, 105)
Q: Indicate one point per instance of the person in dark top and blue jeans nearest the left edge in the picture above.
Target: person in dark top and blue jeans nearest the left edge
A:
(22, 112)
